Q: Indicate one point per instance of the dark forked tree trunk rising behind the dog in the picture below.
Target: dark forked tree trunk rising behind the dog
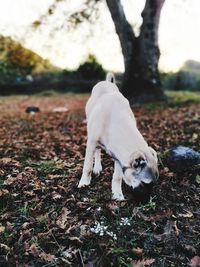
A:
(141, 81)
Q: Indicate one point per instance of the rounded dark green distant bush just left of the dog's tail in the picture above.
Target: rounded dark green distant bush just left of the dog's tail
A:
(91, 70)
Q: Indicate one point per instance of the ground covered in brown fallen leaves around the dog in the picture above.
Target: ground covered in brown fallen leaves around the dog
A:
(45, 220)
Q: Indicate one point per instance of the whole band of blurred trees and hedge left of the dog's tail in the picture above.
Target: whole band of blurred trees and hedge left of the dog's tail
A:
(24, 72)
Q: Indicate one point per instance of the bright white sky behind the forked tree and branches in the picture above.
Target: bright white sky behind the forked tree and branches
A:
(179, 37)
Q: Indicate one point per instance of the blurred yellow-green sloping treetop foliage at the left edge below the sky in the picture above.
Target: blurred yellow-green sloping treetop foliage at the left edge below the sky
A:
(16, 61)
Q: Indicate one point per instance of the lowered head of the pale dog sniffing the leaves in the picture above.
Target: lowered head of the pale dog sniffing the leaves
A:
(143, 168)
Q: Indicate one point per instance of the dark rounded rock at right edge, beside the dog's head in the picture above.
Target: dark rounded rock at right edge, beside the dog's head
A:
(182, 159)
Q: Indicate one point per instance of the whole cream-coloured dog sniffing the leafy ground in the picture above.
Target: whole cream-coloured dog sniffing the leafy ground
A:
(111, 126)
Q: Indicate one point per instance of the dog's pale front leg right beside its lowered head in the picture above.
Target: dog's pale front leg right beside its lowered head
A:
(117, 183)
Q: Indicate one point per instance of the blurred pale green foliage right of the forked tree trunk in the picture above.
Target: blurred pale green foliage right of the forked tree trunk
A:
(188, 78)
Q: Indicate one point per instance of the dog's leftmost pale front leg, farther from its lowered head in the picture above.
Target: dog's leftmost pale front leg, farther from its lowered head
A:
(88, 164)
